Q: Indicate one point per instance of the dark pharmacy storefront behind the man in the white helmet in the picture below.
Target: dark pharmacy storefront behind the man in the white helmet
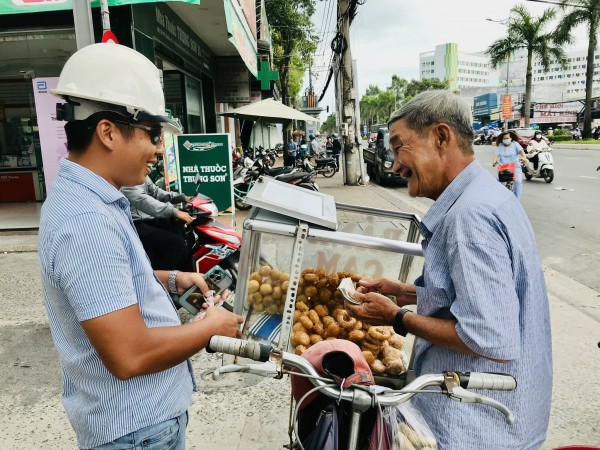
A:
(38, 44)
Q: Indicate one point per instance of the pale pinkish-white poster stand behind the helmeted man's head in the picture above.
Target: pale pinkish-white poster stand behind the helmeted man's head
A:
(53, 140)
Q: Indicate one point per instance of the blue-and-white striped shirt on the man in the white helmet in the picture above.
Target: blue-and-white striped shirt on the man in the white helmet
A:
(92, 263)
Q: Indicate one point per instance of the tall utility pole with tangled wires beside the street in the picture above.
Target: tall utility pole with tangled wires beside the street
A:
(348, 100)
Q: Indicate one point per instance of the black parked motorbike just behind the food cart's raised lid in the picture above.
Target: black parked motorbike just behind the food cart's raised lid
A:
(250, 171)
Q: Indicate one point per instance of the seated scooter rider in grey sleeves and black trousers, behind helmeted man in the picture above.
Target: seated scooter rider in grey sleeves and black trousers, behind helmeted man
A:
(153, 213)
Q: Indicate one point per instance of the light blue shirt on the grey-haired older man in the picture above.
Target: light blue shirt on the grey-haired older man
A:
(482, 268)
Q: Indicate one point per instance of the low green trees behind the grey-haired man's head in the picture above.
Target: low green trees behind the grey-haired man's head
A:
(377, 105)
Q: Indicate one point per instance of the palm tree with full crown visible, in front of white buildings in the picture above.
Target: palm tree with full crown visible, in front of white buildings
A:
(526, 32)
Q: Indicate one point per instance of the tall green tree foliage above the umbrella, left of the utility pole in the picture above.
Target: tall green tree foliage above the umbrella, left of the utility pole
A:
(294, 42)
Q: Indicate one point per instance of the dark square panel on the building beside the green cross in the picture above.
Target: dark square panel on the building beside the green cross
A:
(233, 81)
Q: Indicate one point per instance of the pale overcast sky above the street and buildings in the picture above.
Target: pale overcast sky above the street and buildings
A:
(387, 36)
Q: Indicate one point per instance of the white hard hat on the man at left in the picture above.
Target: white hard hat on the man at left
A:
(113, 77)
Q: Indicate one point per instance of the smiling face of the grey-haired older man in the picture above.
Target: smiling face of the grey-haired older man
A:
(417, 158)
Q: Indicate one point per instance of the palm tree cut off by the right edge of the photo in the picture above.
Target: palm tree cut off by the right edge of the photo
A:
(578, 12)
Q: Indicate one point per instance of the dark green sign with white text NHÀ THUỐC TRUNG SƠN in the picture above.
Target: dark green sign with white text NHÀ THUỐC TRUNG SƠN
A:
(207, 155)
